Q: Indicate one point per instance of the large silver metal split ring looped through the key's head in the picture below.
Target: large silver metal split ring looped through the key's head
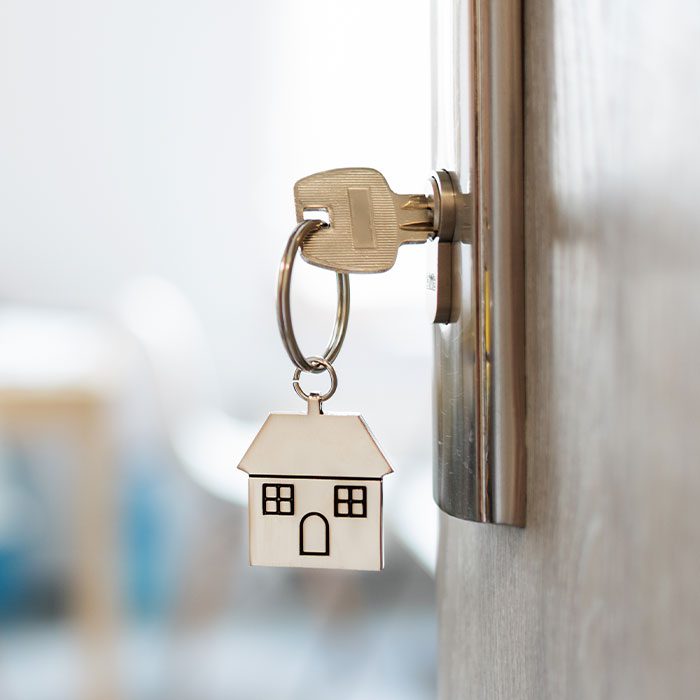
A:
(284, 315)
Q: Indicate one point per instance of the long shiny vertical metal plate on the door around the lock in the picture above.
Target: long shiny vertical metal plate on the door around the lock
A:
(479, 360)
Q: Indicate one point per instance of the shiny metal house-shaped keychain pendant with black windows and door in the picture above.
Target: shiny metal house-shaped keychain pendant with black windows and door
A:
(315, 492)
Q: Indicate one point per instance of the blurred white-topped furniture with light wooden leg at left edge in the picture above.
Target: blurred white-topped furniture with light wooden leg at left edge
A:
(60, 369)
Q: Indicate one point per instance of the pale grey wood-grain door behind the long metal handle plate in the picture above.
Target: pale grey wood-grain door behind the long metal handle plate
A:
(599, 595)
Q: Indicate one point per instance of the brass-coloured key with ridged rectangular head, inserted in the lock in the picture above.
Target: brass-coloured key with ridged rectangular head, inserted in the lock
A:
(367, 221)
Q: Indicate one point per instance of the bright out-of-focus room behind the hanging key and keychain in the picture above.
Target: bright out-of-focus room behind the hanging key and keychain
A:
(148, 152)
